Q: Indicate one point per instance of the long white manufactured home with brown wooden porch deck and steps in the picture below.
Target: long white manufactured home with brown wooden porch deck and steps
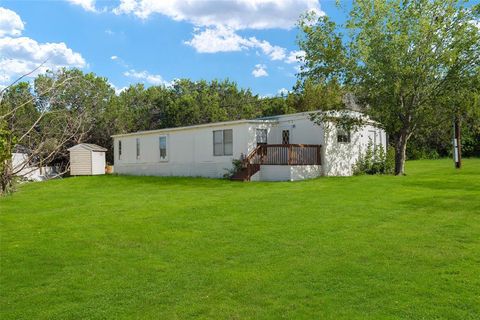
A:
(286, 147)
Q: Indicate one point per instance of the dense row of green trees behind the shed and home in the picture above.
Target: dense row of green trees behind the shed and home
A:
(69, 106)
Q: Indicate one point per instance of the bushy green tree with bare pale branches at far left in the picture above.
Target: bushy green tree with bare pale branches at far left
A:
(44, 121)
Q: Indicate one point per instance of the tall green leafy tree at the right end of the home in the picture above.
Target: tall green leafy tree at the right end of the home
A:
(399, 57)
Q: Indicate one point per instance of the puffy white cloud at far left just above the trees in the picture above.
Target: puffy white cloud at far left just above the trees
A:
(21, 55)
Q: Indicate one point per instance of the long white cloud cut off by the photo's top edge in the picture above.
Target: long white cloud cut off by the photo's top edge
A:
(236, 14)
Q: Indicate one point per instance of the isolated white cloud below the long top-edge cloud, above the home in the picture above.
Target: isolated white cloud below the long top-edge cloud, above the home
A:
(223, 39)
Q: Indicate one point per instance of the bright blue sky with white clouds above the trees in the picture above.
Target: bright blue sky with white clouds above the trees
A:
(252, 42)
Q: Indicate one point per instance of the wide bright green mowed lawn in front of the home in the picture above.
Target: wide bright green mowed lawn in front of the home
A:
(369, 247)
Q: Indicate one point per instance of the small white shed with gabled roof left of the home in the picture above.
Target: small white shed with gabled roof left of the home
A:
(87, 159)
